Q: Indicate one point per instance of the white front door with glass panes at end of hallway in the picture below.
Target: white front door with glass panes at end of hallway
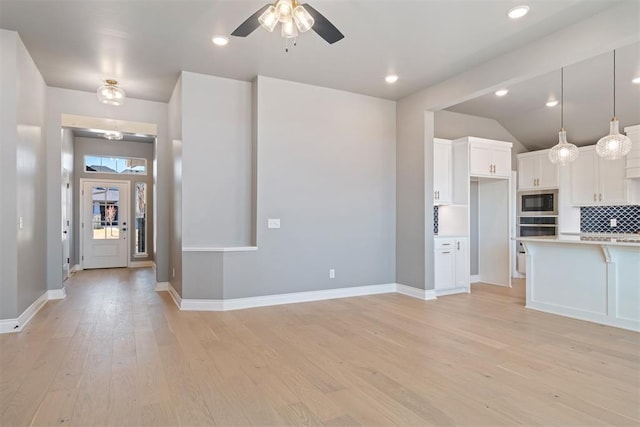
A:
(105, 215)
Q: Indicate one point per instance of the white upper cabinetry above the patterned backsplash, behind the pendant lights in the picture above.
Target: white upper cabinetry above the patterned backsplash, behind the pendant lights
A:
(597, 181)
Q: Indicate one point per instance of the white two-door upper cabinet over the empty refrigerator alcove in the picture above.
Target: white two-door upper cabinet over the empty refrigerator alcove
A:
(488, 158)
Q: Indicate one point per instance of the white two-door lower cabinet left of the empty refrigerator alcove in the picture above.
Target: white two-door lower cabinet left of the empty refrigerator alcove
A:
(451, 265)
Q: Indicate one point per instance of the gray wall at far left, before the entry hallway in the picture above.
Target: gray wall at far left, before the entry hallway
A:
(22, 183)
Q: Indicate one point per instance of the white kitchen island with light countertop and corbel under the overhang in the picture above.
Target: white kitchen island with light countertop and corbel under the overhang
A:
(585, 276)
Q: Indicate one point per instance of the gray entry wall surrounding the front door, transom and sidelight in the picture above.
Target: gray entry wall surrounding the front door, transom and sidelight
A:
(102, 147)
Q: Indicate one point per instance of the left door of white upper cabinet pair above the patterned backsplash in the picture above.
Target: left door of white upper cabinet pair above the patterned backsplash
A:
(584, 178)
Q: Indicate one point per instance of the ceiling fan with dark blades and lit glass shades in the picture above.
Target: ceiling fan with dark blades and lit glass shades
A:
(295, 18)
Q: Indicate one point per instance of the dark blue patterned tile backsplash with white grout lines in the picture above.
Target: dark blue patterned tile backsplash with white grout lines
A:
(597, 219)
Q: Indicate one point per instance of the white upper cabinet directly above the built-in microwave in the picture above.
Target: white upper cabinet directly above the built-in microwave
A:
(536, 172)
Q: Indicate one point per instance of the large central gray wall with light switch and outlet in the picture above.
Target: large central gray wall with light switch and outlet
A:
(326, 169)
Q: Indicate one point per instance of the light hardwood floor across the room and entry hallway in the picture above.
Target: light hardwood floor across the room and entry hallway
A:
(115, 352)
